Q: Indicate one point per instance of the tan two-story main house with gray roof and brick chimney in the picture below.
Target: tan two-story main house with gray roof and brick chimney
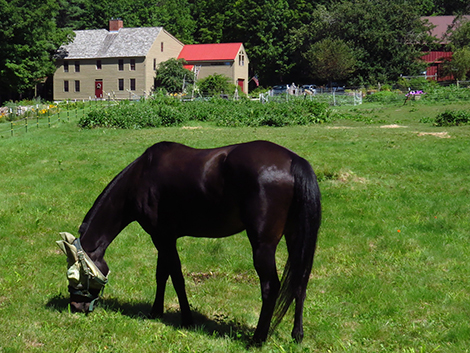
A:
(119, 63)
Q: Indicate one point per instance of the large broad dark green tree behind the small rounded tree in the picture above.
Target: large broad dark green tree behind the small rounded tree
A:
(387, 37)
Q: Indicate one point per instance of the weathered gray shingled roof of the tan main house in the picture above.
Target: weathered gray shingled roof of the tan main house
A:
(99, 43)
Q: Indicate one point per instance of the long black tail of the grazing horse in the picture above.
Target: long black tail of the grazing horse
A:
(301, 237)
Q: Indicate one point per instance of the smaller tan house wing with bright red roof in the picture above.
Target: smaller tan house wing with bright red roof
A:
(227, 59)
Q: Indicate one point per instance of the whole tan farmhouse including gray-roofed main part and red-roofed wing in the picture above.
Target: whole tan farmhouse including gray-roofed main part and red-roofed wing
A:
(120, 63)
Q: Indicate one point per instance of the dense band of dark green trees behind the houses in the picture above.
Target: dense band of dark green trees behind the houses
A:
(372, 41)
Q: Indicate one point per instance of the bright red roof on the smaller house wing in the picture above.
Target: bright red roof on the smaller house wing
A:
(210, 52)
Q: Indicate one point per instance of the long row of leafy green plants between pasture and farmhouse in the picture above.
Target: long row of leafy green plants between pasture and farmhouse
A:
(166, 111)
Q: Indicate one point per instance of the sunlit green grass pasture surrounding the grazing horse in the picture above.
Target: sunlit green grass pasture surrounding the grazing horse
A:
(391, 272)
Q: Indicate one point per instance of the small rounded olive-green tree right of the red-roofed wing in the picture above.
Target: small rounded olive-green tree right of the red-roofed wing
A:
(330, 59)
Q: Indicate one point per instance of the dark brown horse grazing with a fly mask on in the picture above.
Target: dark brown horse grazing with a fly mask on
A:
(173, 190)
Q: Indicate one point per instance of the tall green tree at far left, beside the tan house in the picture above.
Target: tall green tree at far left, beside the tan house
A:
(28, 39)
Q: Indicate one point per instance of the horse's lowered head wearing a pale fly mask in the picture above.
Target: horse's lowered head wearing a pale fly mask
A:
(85, 279)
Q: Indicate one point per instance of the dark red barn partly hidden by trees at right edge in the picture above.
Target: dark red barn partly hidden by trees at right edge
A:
(442, 25)
